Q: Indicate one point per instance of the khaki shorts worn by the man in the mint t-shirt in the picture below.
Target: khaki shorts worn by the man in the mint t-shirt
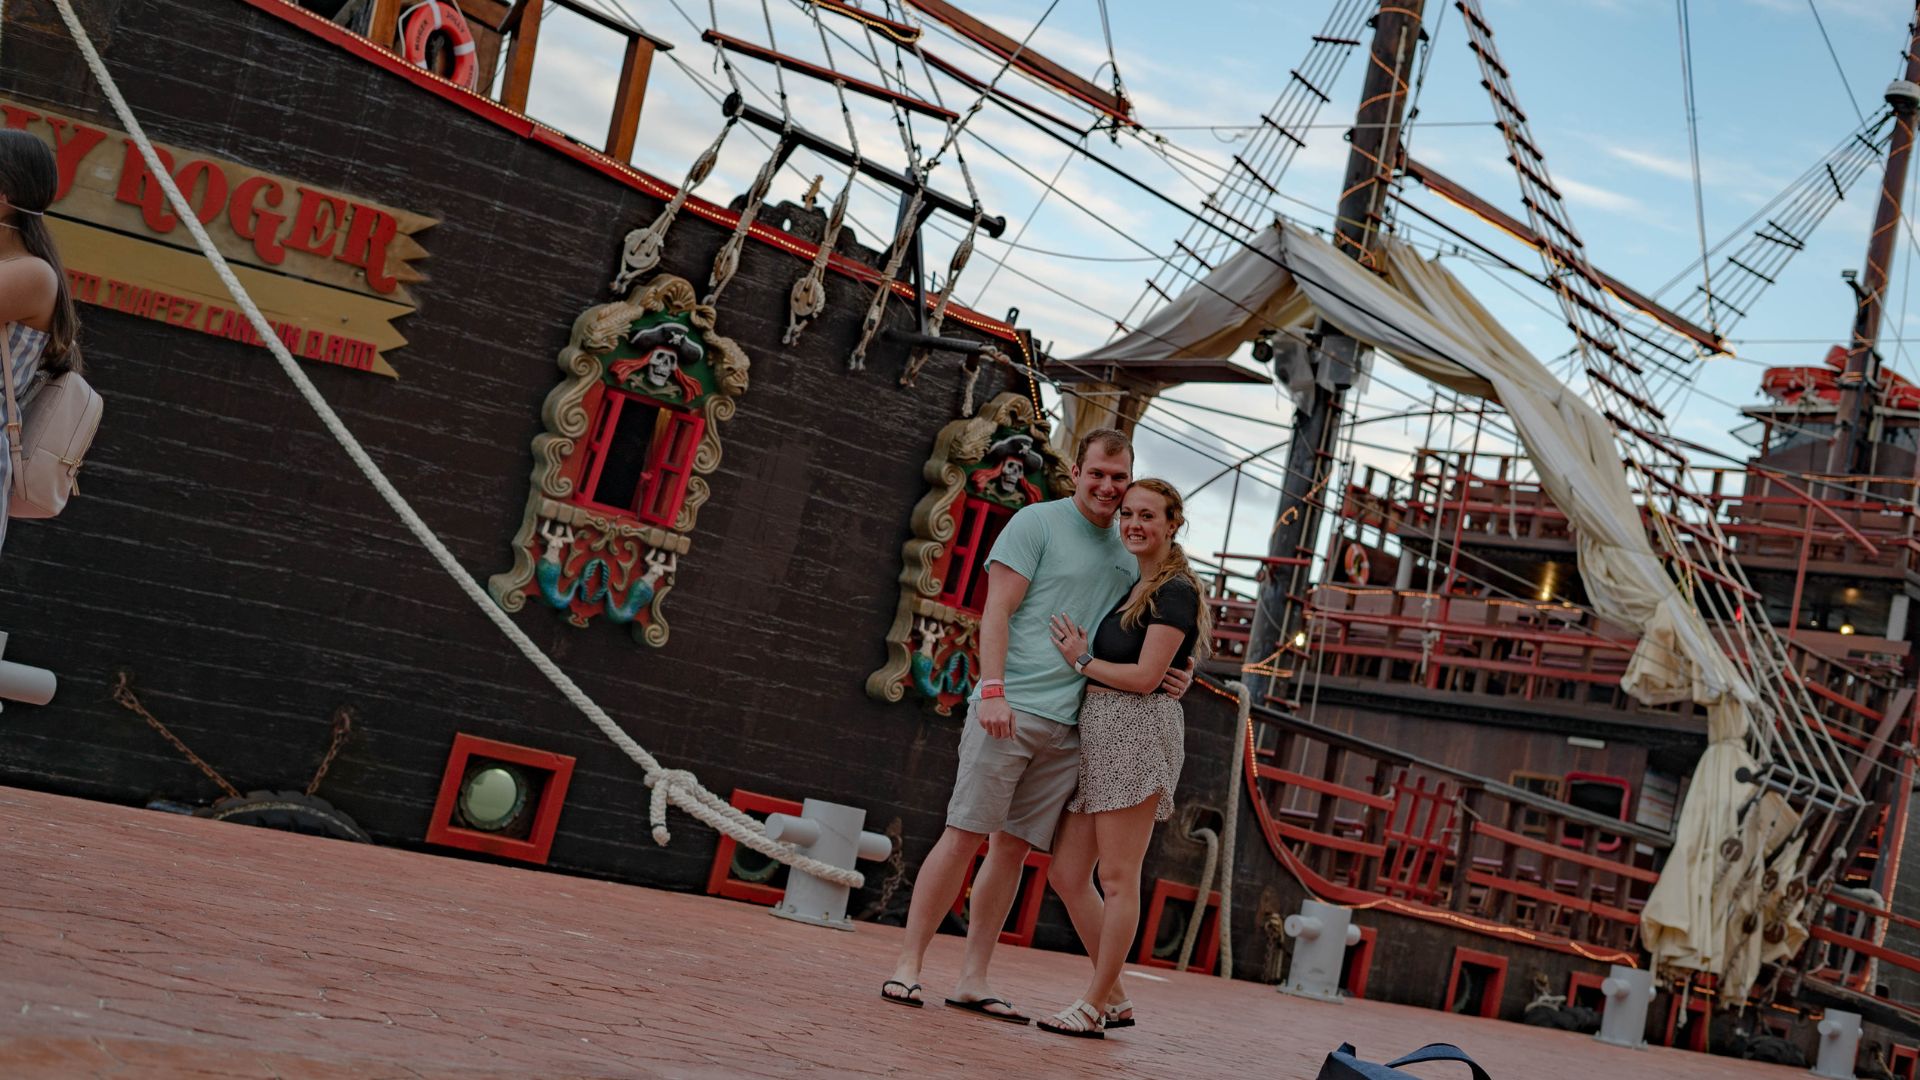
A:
(1017, 785)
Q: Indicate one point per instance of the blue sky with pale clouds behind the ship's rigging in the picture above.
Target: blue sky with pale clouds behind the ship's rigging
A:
(1598, 80)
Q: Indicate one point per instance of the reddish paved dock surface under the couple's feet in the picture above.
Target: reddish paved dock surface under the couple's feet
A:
(158, 946)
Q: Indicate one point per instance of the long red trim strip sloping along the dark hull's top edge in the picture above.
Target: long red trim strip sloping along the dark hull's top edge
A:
(537, 132)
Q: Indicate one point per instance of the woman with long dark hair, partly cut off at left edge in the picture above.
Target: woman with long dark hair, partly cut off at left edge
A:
(37, 322)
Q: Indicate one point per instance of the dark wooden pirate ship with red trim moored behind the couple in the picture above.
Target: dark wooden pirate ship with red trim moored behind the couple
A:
(752, 506)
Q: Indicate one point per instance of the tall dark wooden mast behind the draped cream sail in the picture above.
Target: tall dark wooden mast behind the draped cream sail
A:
(1370, 168)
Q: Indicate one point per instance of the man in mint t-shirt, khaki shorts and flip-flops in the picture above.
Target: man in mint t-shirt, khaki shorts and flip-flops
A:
(1020, 747)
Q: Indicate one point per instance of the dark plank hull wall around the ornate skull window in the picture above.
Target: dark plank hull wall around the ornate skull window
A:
(228, 554)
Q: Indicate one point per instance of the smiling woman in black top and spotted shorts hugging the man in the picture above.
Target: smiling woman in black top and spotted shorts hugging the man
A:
(1132, 749)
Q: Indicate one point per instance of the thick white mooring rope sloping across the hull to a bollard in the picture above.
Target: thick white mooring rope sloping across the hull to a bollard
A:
(669, 785)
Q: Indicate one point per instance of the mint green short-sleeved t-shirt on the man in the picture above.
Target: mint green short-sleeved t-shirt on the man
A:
(1074, 568)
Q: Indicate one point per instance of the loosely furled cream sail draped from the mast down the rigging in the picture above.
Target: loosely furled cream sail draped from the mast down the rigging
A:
(1426, 320)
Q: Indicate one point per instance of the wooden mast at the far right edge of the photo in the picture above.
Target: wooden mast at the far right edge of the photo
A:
(1852, 437)
